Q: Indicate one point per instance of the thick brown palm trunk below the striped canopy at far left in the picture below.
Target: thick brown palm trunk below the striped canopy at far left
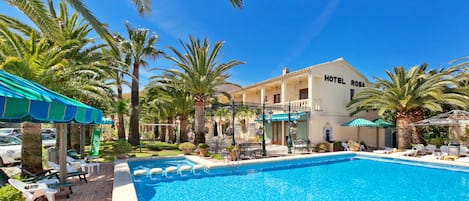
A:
(31, 149)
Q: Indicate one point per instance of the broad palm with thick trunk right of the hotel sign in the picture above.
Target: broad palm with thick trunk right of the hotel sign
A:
(406, 94)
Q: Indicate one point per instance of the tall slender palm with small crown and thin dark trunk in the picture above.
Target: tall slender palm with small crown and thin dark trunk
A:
(140, 45)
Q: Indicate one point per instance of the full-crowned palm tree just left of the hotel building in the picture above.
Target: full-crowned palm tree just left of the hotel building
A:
(199, 73)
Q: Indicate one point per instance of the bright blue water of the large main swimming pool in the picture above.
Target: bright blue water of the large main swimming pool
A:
(348, 177)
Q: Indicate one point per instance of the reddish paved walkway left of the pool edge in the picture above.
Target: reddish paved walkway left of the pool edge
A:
(99, 186)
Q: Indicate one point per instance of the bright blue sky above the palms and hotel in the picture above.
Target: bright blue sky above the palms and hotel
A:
(271, 34)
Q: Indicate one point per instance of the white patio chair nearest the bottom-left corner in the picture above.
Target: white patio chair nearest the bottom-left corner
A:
(33, 191)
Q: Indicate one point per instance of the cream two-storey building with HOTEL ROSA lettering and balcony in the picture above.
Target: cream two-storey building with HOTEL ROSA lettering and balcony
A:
(318, 94)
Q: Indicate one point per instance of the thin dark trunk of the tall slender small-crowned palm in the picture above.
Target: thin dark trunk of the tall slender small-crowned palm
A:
(134, 127)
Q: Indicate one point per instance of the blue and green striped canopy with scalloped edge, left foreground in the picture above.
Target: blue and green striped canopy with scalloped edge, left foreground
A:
(24, 100)
